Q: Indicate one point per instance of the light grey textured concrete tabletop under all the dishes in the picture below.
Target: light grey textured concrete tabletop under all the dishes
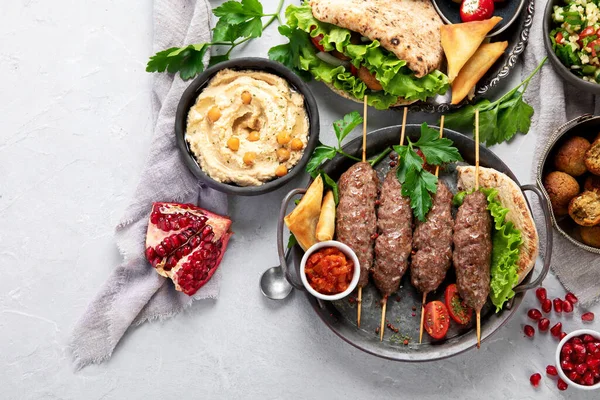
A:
(76, 126)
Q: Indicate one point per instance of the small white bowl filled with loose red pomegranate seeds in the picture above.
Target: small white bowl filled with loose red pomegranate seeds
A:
(578, 359)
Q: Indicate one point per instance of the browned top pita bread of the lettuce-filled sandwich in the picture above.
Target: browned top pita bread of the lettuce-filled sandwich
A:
(410, 29)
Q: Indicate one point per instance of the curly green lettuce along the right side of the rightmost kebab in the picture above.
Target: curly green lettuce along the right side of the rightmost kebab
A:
(506, 241)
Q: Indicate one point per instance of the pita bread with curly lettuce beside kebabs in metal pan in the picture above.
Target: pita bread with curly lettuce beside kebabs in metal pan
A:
(515, 241)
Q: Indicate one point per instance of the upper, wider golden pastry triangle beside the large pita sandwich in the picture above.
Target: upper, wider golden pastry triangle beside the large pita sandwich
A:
(461, 41)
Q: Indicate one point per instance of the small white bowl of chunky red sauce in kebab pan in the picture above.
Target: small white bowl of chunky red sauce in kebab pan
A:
(329, 270)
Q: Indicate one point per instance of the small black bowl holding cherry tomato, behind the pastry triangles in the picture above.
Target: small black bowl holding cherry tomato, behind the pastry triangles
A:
(509, 10)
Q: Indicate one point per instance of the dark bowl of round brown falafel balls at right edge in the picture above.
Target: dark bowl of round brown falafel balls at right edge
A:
(569, 175)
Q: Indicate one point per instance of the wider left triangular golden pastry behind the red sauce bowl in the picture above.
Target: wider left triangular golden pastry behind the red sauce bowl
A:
(302, 221)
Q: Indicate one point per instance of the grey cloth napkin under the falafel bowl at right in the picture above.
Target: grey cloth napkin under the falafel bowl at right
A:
(555, 102)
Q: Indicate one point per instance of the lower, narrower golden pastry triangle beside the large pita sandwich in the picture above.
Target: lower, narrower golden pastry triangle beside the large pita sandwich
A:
(485, 56)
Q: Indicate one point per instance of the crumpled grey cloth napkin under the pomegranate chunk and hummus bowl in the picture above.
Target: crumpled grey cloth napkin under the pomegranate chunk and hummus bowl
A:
(135, 293)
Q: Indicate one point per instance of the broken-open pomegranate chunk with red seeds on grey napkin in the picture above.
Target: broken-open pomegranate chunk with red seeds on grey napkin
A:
(186, 244)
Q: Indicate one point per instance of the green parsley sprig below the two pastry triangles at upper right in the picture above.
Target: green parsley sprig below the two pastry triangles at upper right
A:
(500, 120)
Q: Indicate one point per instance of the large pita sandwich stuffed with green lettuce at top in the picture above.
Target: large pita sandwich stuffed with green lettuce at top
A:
(388, 50)
